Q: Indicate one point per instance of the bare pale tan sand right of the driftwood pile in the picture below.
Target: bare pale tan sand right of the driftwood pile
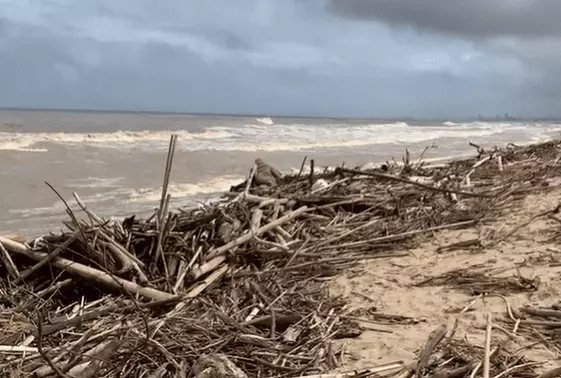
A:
(386, 282)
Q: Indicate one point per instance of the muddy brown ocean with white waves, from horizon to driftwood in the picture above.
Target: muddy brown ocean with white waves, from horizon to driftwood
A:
(115, 161)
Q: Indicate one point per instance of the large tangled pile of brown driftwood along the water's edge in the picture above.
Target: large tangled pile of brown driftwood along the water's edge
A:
(235, 288)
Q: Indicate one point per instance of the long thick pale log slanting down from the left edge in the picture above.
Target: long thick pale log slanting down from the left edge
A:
(87, 272)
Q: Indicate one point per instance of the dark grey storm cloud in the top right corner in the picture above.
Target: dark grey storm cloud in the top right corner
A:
(470, 18)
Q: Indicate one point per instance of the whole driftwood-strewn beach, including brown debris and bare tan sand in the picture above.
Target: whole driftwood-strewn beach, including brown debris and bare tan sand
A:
(353, 270)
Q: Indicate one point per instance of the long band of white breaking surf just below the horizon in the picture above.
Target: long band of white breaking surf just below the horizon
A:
(282, 137)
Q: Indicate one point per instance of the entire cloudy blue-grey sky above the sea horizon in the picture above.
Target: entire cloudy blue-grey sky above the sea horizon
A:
(361, 58)
